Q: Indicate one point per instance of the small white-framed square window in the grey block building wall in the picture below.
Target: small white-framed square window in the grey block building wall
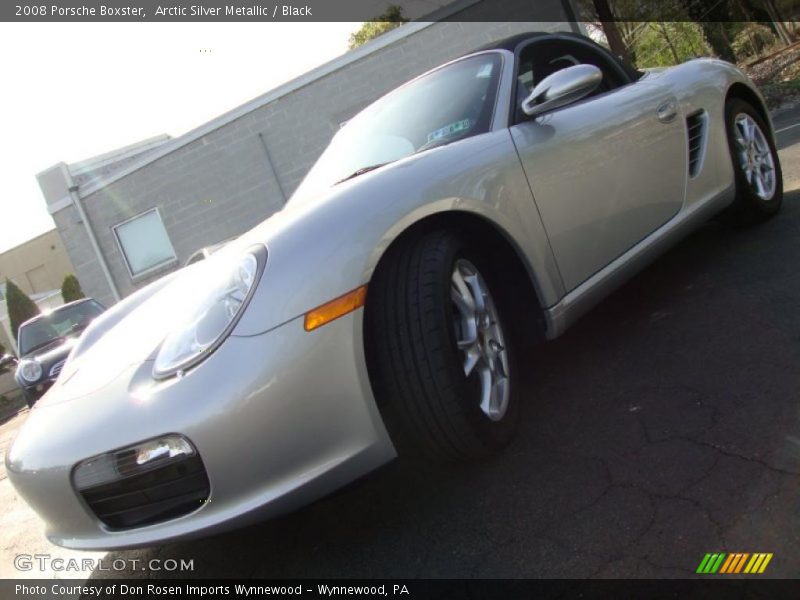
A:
(144, 243)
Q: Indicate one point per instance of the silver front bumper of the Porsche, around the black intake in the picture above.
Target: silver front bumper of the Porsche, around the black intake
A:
(279, 420)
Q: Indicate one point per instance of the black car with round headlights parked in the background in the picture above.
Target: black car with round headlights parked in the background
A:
(45, 341)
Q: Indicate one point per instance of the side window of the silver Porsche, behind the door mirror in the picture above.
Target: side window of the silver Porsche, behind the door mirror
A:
(540, 59)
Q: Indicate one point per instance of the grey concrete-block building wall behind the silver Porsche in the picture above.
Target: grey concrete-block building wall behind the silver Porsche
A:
(223, 184)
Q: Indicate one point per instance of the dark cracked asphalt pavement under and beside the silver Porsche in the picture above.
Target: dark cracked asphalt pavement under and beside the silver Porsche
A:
(664, 425)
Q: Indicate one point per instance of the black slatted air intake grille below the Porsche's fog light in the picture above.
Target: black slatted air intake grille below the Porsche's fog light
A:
(158, 494)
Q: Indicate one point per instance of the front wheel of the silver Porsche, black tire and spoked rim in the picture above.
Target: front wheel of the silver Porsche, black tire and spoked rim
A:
(418, 372)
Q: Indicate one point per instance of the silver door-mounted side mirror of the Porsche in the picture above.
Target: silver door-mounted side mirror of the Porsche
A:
(561, 88)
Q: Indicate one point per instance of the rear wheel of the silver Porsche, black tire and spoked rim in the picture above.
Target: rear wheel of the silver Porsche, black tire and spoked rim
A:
(759, 195)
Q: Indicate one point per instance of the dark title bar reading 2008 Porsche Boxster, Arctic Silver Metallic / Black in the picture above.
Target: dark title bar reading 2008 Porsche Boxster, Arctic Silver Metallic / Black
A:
(366, 10)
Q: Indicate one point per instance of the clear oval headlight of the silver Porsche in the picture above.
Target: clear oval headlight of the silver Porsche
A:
(211, 314)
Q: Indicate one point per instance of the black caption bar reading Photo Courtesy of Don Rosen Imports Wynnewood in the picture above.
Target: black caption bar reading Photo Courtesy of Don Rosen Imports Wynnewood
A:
(445, 589)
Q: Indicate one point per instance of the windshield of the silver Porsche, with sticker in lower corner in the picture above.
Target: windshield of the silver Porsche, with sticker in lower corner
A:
(449, 104)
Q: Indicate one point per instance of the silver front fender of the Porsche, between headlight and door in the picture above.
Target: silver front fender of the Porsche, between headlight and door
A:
(324, 248)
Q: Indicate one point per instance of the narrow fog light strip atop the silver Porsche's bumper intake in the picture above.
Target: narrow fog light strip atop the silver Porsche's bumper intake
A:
(131, 461)
